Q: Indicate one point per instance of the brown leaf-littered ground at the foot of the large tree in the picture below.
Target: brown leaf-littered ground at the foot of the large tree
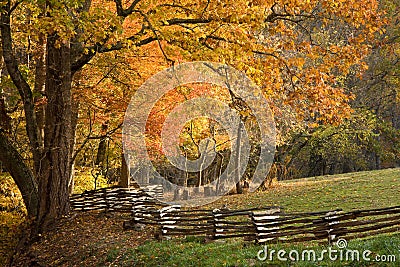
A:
(84, 239)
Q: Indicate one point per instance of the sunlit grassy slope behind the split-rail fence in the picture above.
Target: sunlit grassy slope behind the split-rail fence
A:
(363, 190)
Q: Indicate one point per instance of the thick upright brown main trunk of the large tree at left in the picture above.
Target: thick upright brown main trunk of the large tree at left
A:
(56, 164)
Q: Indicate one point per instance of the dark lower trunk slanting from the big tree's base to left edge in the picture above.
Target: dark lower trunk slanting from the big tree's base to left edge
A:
(23, 177)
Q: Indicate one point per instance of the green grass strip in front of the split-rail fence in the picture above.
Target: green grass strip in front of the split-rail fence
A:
(189, 252)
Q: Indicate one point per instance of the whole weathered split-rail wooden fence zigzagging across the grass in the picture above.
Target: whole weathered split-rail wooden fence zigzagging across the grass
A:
(261, 225)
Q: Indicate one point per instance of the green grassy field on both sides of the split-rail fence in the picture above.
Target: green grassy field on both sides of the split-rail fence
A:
(351, 191)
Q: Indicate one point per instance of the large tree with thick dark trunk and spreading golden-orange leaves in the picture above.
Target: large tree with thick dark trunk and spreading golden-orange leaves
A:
(47, 44)
